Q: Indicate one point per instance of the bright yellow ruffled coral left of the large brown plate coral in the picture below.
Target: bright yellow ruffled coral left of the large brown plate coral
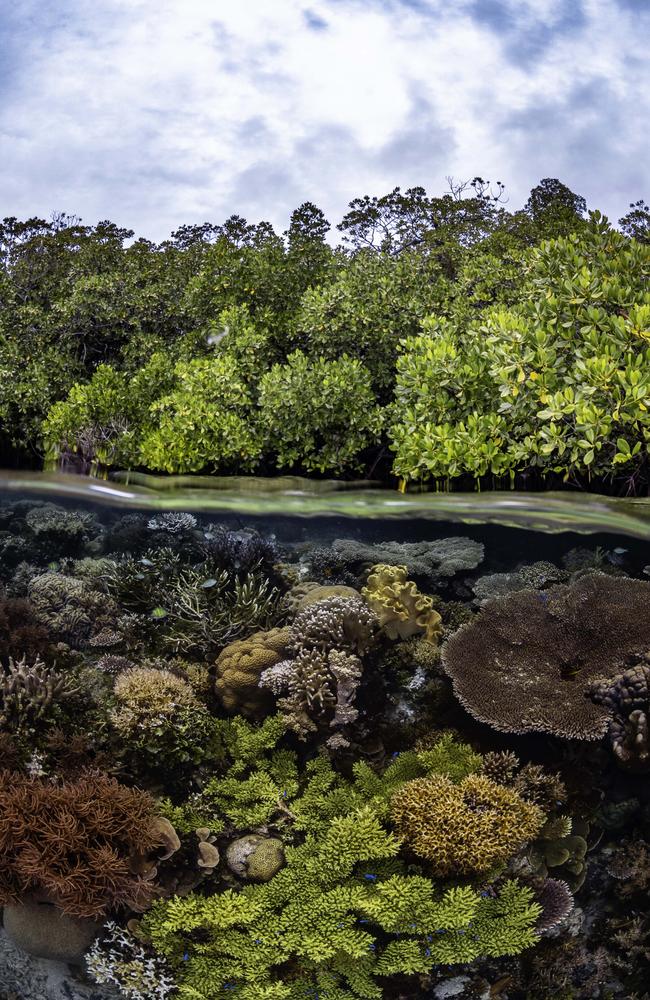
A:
(402, 610)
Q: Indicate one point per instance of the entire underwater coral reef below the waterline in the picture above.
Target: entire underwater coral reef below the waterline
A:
(282, 743)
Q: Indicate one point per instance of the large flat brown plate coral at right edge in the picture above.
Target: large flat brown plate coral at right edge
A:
(526, 662)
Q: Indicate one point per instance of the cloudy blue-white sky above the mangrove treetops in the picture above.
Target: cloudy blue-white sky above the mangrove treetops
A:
(156, 113)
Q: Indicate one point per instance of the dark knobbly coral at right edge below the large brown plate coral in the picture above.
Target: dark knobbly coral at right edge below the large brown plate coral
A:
(627, 698)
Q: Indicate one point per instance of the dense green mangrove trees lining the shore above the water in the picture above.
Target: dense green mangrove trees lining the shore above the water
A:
(447, 339)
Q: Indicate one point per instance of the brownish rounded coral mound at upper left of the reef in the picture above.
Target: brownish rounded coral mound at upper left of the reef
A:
(70, 608)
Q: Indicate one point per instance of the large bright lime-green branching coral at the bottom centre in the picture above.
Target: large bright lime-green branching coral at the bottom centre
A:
(337, 920)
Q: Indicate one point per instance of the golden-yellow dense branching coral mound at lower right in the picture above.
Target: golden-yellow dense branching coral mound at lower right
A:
(468, 827)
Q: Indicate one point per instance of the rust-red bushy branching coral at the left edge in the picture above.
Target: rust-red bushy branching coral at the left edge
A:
(71, 843)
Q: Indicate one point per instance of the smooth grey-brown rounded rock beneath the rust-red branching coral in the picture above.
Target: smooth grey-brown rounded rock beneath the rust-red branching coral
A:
(42, 930)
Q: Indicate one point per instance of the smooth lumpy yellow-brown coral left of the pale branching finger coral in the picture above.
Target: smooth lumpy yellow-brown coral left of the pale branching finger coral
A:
(239, 666)
